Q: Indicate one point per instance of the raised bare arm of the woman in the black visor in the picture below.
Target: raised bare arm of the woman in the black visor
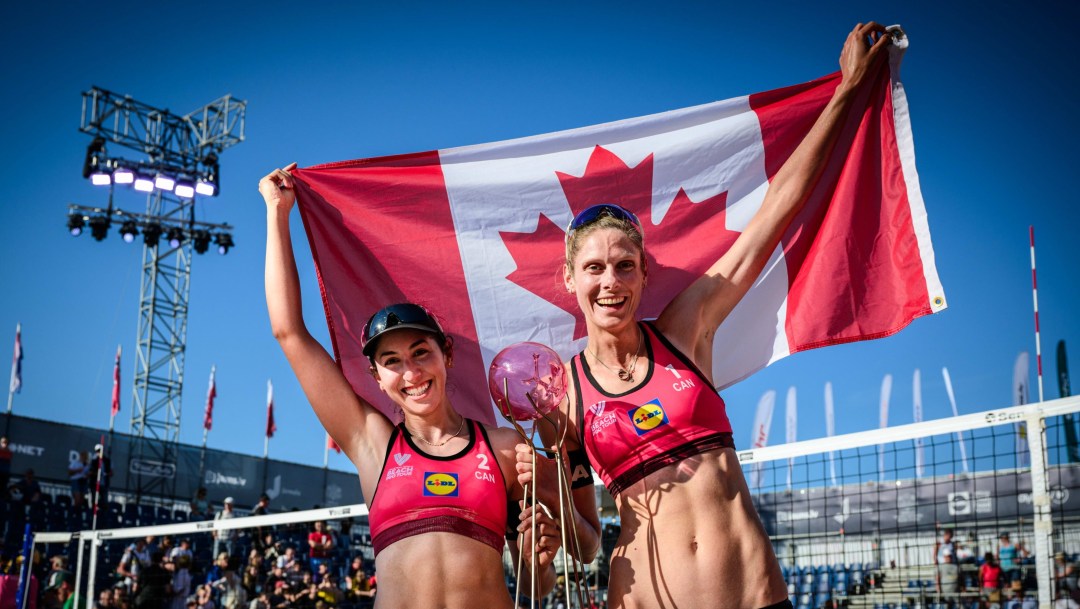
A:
(359, 429)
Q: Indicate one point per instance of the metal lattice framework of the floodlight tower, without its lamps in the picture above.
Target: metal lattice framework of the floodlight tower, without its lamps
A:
(177, 145)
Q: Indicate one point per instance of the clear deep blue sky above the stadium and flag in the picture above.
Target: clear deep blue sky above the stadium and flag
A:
(992, 91)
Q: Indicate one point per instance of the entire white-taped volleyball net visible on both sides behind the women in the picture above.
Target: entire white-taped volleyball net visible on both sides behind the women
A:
(855, 520)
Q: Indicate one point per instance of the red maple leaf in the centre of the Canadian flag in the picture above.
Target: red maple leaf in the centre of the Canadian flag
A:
(680, 248)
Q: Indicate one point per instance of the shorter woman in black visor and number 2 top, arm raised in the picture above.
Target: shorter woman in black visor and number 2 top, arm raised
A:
(438, 485)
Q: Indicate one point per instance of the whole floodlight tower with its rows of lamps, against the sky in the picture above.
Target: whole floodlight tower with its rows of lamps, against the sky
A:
(181, 164)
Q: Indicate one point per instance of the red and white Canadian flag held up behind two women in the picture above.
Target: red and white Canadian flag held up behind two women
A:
(477, 234)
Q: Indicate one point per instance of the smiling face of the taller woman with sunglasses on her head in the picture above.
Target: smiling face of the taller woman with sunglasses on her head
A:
(607, 278)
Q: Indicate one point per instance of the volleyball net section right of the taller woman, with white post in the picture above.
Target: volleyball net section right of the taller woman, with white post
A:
(862, 519)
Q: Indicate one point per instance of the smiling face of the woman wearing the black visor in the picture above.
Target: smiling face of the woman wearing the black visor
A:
(411, 369)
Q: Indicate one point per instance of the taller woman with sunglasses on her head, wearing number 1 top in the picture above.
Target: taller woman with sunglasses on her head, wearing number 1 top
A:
(642, 403)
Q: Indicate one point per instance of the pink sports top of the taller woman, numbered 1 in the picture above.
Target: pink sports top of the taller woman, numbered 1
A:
(672, 415)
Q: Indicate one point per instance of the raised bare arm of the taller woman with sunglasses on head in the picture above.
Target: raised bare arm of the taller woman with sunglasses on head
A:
(692, 319)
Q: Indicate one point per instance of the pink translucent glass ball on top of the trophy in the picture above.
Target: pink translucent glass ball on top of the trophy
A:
(526, 371)
